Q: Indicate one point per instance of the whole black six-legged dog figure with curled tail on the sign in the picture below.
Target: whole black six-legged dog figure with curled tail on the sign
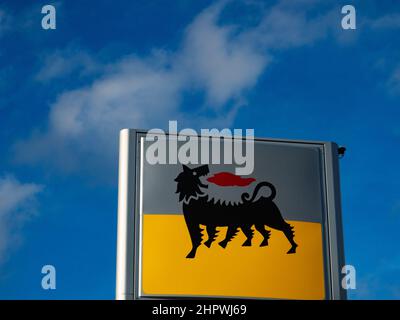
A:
(198, 210)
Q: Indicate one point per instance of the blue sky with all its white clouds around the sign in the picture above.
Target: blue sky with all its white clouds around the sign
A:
(286, 69)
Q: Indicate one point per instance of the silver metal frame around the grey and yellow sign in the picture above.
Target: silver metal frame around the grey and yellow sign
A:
(128, 271)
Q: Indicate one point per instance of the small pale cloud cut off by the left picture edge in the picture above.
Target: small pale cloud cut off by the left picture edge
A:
(17, 205)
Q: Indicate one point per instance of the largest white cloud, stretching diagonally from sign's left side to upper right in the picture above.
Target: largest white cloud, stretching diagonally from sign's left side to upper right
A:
(220, 61)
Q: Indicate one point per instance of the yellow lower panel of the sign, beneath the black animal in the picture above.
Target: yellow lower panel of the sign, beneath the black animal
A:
(236, 271)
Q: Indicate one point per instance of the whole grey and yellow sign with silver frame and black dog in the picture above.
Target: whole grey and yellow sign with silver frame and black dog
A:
(200, 229)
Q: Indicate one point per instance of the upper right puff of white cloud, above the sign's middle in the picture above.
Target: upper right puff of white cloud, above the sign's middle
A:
(219, 60)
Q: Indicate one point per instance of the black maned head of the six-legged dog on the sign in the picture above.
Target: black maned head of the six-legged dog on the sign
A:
(189, 183)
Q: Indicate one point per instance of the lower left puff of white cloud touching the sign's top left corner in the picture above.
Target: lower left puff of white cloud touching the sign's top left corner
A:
(84, 123)
